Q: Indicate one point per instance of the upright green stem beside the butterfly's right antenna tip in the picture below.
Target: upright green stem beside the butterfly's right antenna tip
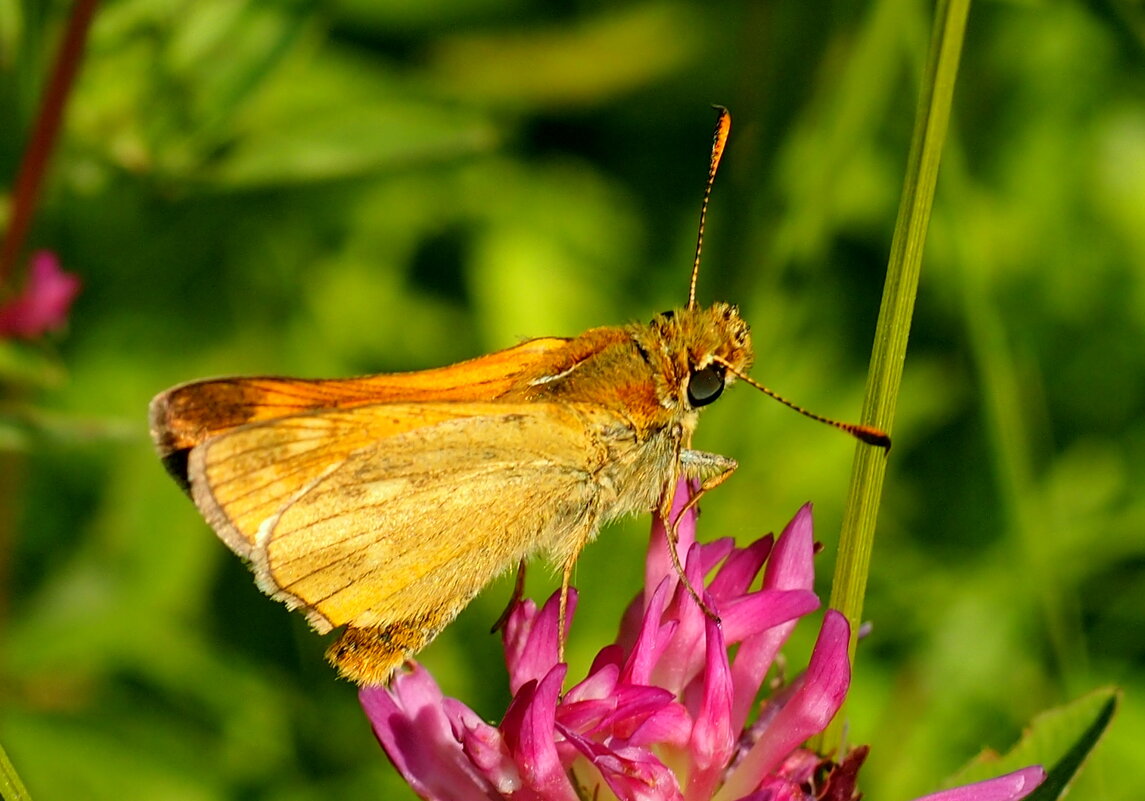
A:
(890, 350)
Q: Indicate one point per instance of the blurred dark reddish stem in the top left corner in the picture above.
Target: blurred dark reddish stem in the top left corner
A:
(43, 141)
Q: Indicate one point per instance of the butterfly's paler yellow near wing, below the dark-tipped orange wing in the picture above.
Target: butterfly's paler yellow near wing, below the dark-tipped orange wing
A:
(390, 519)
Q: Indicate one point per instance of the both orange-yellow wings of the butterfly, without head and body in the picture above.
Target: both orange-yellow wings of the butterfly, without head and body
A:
(385, 503)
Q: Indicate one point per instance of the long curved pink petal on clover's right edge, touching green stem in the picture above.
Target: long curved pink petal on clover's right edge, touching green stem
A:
(816, 699)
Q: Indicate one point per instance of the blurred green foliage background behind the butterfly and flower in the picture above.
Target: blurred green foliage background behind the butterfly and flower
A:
(356, 186)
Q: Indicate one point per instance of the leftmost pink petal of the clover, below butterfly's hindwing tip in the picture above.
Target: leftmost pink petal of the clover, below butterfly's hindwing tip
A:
(412, 726)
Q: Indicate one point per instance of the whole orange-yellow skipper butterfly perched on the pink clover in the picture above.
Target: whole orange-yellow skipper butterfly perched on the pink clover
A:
(383, 505)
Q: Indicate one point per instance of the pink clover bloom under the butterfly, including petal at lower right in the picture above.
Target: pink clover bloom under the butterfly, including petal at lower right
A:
(664, 715)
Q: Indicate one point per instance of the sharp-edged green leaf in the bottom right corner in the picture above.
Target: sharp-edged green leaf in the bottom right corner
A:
(1060, 740)
